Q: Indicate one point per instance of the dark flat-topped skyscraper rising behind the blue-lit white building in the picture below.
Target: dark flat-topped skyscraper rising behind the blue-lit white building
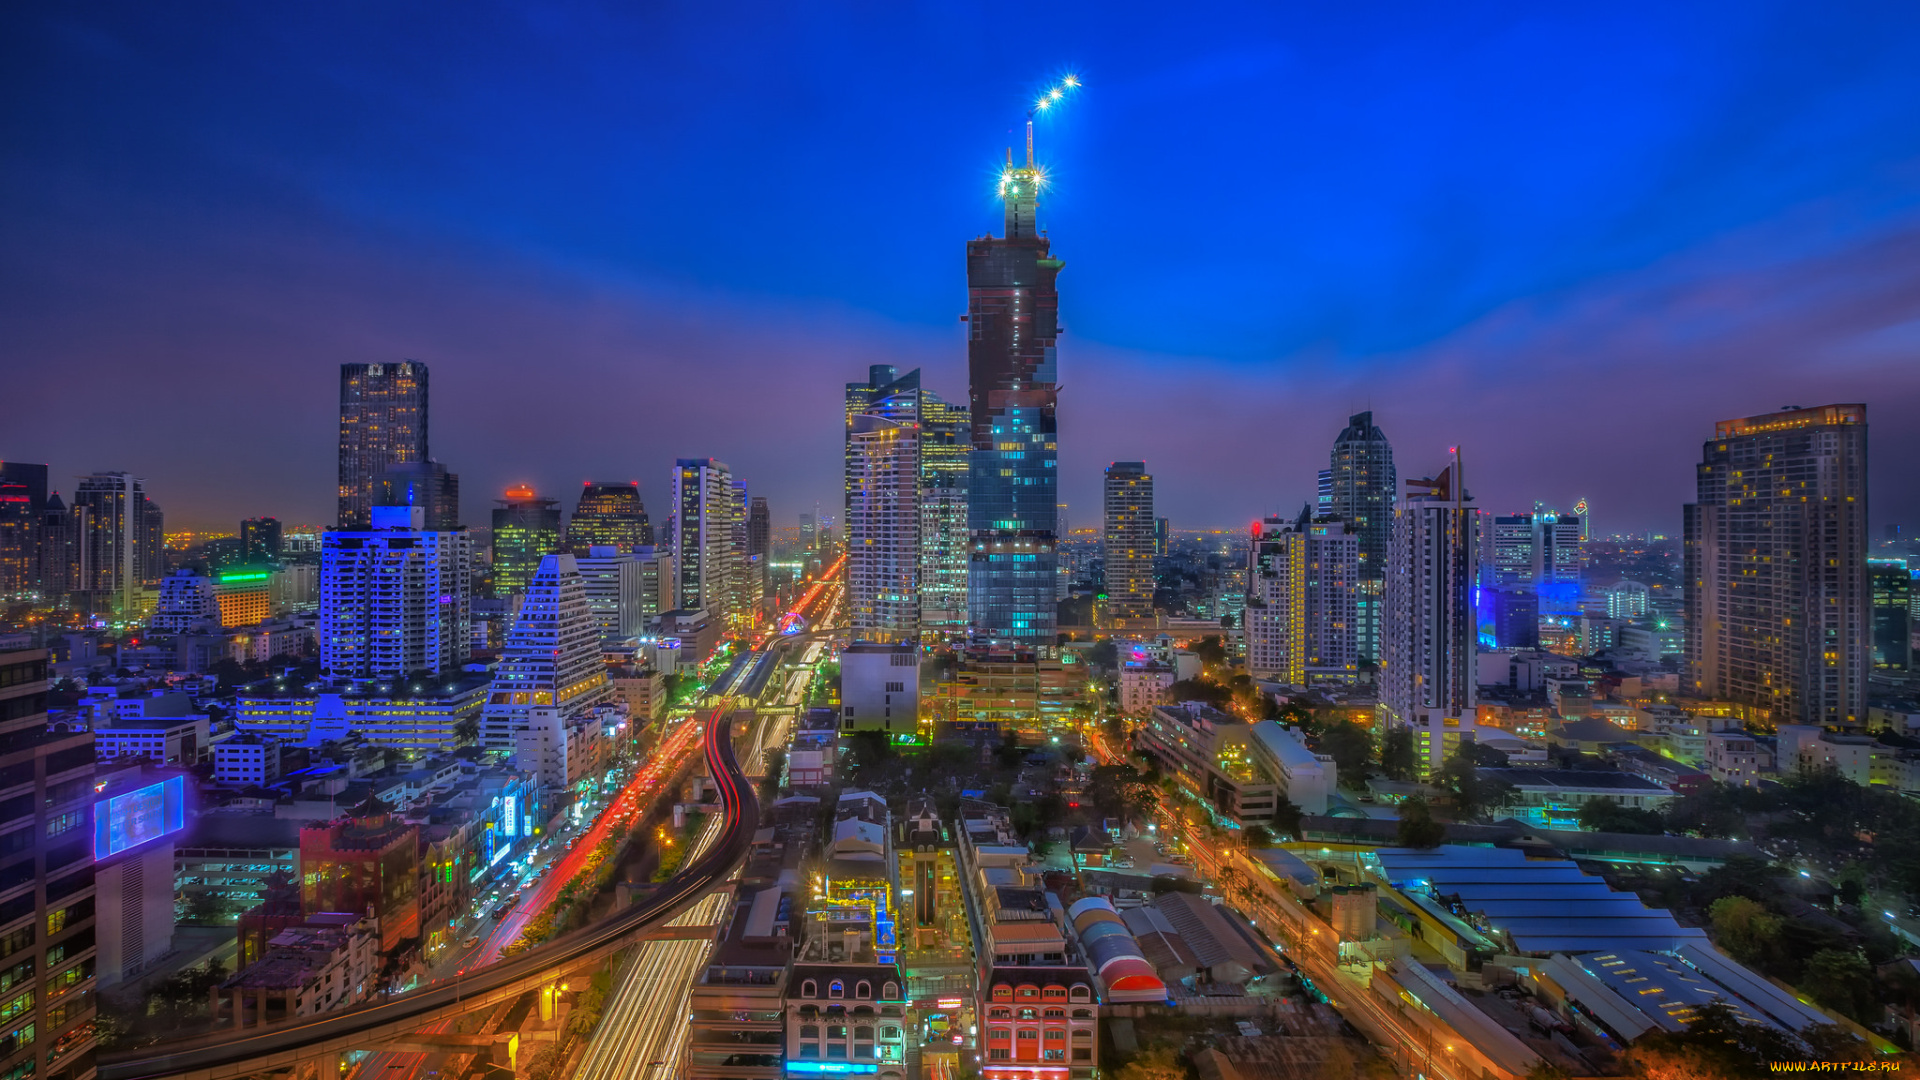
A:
(383, 422)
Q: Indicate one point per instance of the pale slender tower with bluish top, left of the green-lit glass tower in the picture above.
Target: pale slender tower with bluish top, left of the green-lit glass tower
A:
(884, 522)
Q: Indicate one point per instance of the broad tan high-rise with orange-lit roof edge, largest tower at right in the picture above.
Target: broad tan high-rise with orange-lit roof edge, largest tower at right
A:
(1777, 591)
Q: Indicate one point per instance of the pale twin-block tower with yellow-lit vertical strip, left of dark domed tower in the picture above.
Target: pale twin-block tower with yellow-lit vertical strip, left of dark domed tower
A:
(1303, 599)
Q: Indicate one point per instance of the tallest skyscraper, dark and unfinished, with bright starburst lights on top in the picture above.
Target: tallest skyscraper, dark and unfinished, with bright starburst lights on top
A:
(1013, 395)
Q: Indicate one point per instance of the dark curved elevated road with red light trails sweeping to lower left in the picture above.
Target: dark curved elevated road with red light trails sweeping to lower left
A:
(314, 1041)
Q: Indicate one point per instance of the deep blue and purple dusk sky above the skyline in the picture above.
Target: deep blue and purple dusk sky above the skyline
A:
(1566, 239)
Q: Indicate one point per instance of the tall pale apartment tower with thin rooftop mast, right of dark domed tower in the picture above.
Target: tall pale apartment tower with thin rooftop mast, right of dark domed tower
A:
(1431, 672)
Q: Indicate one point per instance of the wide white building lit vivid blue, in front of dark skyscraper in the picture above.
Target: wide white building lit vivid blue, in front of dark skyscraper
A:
(395, 599)
